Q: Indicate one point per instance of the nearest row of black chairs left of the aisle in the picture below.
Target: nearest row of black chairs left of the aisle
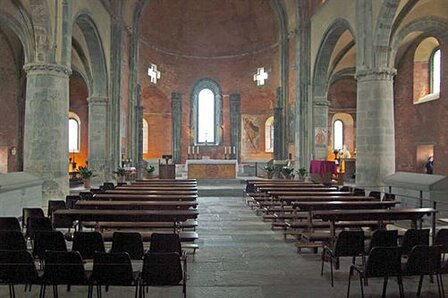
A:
(109, 269)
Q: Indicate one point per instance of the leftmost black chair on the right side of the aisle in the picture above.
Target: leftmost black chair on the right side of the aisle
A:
(348, 244)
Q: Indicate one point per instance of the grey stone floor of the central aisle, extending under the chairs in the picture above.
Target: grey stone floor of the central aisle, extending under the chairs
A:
(240, 256)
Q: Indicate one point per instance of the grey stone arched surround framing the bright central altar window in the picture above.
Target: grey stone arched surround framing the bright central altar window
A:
(198, 87)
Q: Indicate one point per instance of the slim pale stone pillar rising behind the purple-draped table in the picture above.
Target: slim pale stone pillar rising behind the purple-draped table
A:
(320, 127)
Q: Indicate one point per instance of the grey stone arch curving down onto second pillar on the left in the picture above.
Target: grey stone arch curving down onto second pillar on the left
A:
(97, 59)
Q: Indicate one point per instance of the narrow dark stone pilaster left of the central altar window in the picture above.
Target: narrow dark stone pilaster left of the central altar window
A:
(176, 117)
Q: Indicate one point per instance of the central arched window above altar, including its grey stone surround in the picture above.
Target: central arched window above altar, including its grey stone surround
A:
(206, 113)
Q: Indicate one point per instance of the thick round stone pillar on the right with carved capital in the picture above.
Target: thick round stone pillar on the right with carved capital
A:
(375, 135)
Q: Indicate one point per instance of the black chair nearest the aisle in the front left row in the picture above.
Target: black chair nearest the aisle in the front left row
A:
(162, 269)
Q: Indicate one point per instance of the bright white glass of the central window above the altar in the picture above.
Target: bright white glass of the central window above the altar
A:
(206, 116)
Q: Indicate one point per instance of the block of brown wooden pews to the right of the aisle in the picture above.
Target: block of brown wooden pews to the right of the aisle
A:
(314, 213)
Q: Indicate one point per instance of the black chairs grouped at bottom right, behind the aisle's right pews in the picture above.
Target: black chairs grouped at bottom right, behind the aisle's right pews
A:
(351, 244)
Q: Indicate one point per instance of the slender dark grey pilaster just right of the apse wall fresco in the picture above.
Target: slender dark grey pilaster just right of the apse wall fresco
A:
(280, 150)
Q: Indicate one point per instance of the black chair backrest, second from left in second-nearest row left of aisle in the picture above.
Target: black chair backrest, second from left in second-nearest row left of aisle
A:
(48, 241)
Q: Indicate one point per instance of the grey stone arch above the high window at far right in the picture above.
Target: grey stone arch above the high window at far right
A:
(434, 26)
